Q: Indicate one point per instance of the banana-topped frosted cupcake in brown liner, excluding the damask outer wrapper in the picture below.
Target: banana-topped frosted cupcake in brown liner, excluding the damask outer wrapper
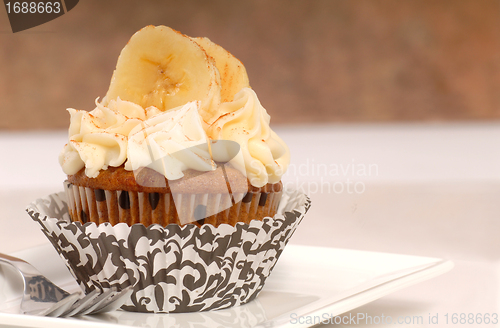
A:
(179, 138)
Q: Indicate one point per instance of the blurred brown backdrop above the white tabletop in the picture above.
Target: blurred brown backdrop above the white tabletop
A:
(309, 61)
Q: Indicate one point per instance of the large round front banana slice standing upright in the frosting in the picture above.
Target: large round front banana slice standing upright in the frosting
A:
(163, 68)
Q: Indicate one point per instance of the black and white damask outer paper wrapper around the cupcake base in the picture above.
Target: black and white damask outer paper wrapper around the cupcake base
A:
(172, 268)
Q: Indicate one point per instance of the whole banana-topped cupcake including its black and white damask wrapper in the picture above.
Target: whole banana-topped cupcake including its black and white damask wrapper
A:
(174, 181)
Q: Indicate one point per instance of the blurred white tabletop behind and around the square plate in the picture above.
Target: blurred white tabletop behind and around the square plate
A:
(437, 194)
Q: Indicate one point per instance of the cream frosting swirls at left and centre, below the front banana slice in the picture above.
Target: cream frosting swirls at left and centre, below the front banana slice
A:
(124, 132)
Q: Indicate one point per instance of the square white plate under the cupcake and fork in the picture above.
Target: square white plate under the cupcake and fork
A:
(306, 282)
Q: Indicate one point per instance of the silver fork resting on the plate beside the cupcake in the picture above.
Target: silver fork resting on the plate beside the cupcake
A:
(42, 297)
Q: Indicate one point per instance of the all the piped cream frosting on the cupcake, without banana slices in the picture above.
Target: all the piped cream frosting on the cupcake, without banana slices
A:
(125, 133)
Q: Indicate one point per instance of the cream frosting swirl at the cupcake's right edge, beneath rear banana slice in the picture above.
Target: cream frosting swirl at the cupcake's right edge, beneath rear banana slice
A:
(245, 121)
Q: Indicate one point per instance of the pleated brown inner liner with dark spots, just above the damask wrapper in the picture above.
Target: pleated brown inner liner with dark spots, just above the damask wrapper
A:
(115, 206)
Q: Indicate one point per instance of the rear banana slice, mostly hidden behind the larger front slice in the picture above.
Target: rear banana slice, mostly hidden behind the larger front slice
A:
(232, 72)
